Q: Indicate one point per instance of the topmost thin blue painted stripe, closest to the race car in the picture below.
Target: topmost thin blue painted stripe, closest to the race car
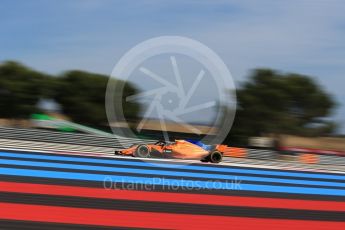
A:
(177, 166)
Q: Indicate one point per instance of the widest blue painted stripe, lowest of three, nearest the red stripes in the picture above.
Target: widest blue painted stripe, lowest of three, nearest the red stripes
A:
(119, 180)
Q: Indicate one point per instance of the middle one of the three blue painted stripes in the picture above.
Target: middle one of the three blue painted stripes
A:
(168, 173)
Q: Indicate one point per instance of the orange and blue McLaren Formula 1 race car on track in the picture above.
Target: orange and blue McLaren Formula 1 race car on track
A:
(179, 149)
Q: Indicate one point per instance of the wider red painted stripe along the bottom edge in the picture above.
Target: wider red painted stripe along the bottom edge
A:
(151, 219)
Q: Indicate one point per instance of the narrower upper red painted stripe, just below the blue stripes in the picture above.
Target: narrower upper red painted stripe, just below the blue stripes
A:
(171, 197)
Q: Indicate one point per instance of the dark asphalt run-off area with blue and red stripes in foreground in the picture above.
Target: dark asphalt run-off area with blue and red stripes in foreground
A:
(40, 190)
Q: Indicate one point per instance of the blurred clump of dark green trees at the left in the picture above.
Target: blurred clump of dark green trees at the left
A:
(81, 94)
